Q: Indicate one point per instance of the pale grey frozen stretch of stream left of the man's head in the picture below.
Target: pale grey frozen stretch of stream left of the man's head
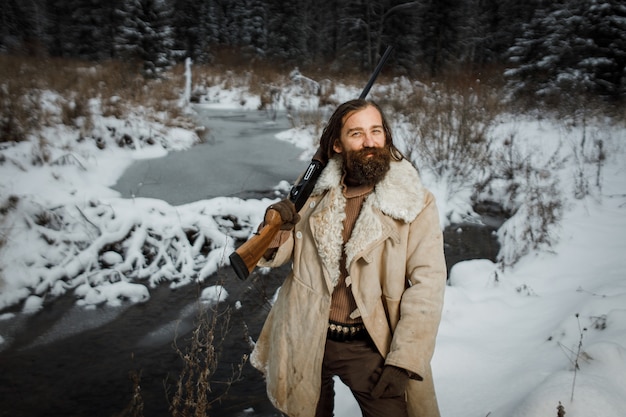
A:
(240, 156)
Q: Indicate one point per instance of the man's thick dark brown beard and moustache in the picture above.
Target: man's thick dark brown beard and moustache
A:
(362, 169)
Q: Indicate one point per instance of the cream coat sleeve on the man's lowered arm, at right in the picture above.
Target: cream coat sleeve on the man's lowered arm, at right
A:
(413, 341)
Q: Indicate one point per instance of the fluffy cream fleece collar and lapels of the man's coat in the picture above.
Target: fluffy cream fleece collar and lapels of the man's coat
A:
(400, 196)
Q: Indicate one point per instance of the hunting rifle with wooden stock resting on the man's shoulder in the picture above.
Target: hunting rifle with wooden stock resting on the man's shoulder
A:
(245, 258)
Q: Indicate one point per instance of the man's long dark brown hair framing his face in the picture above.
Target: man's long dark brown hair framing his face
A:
(332, 131)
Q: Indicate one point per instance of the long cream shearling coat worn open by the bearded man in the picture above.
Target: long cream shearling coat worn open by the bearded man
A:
(397, 272)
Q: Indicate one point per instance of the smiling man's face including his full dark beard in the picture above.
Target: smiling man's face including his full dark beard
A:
(362, 147)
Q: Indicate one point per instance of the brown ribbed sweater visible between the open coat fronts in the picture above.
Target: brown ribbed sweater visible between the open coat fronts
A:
(343, 303)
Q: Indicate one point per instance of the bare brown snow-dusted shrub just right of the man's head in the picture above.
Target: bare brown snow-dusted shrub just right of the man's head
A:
(449, 133)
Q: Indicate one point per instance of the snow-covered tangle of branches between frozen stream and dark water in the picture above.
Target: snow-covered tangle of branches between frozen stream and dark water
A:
(105, 251)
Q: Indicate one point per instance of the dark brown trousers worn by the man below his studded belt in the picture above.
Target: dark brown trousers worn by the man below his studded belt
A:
(357, 364)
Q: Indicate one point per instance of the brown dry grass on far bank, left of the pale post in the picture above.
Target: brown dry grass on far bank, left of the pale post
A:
(117, 84)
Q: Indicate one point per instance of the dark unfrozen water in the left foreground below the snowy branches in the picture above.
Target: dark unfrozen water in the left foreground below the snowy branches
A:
(55, 368)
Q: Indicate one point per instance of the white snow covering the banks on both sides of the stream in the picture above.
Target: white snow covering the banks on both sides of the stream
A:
(515, 340)
